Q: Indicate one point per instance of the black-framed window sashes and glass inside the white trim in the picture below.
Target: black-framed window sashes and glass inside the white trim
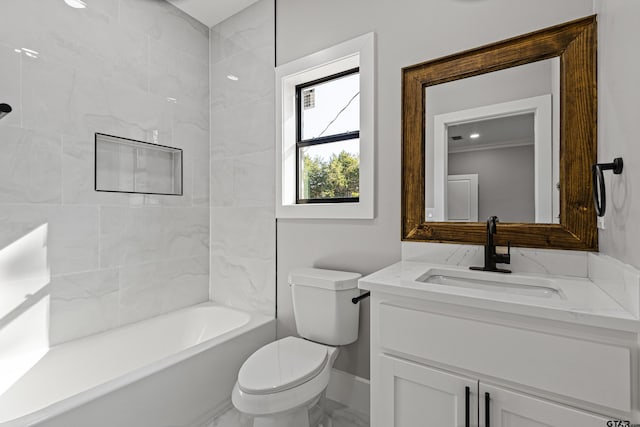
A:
(328, 139)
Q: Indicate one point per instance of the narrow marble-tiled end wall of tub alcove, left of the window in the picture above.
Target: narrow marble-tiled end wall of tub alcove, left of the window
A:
(243, 247)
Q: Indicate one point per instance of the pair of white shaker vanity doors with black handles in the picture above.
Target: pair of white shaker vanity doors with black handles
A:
(414, 395)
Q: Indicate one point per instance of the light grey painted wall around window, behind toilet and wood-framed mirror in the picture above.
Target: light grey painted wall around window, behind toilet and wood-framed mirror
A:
(408, 32)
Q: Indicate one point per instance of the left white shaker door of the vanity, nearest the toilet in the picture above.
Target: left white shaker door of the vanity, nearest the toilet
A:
(413, 395)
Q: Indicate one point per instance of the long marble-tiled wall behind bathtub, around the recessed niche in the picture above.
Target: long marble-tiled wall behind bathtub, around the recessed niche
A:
(133, 68)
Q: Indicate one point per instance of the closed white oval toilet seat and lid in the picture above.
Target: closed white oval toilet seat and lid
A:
(282, 365)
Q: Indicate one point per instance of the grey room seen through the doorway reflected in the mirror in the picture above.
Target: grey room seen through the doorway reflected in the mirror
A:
(492, 149)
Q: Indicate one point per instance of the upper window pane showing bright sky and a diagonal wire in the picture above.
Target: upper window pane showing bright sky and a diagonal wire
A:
(331, 108)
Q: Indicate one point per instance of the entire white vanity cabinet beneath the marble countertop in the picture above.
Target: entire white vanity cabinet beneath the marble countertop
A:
(435, 364)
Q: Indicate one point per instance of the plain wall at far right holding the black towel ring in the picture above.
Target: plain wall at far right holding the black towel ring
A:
(618, 113)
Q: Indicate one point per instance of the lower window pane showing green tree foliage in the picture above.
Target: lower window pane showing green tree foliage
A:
(329, 171)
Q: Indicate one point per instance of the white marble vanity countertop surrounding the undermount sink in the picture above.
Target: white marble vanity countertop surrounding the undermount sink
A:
(580, 300)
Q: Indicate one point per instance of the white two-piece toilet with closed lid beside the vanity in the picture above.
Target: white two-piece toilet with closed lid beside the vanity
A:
(279, 383)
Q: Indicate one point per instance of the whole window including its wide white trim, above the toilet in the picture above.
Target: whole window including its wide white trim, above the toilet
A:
(325, 138)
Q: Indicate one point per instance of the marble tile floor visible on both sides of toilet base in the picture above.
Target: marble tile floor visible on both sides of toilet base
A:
(339, 415)
